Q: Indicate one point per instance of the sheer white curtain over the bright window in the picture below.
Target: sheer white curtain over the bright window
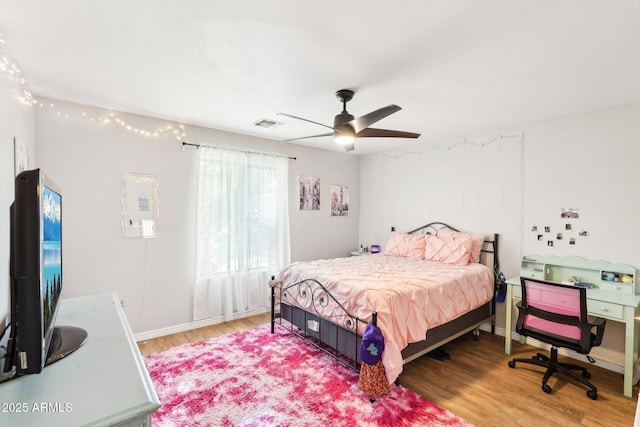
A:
(242, 230)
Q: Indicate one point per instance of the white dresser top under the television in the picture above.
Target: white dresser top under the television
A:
(103, 383)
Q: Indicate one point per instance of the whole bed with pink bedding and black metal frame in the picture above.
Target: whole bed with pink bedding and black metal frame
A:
(429, 286)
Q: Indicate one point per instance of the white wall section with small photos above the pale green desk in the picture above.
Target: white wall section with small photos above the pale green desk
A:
(590, 163)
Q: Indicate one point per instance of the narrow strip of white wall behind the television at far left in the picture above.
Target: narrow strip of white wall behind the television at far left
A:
(16, 122)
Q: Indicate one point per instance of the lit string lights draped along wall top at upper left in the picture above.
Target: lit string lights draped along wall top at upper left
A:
(9, 66)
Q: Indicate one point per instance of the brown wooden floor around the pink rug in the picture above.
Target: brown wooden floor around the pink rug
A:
(477, 385)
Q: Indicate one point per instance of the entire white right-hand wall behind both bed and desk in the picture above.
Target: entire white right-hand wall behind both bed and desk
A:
(587, 162)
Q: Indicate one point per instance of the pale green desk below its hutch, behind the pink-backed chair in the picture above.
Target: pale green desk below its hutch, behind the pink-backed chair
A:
(610, 305)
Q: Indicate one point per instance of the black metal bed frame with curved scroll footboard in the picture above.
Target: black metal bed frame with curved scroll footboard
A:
(339, 335)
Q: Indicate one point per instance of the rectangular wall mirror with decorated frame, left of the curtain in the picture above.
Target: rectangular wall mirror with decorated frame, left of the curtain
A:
(139, 205)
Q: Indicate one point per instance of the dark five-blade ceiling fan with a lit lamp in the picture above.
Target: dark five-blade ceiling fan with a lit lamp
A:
(346, 127)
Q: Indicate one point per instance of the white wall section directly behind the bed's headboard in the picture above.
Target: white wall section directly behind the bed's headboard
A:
(472, 185)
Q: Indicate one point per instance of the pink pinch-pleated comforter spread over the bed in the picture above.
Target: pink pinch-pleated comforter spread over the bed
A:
(410, 296)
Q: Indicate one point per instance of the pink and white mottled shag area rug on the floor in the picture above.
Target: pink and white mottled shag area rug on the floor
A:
(254, 378)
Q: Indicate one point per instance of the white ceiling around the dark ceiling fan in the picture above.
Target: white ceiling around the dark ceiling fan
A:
(455, 67)
